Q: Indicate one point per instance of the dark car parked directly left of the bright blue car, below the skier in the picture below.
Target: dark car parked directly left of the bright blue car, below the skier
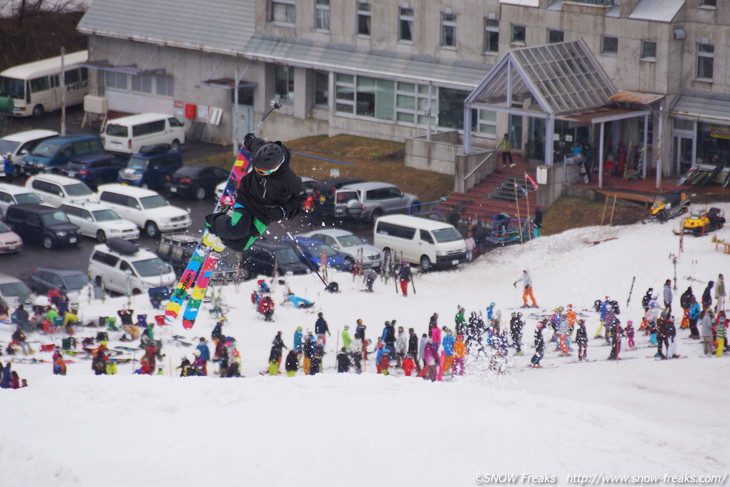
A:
(264, 256)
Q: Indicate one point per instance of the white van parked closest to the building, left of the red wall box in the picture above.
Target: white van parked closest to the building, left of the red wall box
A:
(129, 134)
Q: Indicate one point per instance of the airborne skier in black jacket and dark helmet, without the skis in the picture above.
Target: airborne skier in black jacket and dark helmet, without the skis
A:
(270, 192)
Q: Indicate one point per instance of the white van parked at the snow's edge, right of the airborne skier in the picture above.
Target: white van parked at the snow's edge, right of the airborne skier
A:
(419, 241)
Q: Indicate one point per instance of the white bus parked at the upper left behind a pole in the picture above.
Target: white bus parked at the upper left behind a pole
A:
(36, 87)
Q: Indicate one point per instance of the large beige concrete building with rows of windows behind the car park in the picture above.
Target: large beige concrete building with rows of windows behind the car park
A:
(398, 69)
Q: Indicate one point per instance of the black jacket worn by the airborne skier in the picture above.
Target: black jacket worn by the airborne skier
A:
(263, 194)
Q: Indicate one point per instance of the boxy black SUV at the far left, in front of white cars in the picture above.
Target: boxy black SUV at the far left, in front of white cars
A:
(38, 223)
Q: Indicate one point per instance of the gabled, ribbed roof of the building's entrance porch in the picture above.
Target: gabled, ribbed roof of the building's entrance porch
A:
(562, 78)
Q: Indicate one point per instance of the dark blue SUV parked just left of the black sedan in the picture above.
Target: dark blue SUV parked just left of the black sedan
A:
(151, 167)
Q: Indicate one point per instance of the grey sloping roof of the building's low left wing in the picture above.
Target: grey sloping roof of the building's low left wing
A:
(221, 26)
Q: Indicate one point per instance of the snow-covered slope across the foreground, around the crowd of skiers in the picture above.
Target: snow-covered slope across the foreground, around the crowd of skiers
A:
(639, 417)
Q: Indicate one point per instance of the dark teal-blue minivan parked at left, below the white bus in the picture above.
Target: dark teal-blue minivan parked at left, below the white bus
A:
(53, 153)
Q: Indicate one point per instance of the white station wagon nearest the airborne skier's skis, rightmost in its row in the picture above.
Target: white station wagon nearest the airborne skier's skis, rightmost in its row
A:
(145, 208)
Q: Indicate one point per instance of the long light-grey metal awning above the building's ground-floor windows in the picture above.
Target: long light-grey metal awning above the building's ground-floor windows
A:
(381, 64)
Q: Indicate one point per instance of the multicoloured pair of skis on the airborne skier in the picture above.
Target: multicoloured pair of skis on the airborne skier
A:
(195, 278)
